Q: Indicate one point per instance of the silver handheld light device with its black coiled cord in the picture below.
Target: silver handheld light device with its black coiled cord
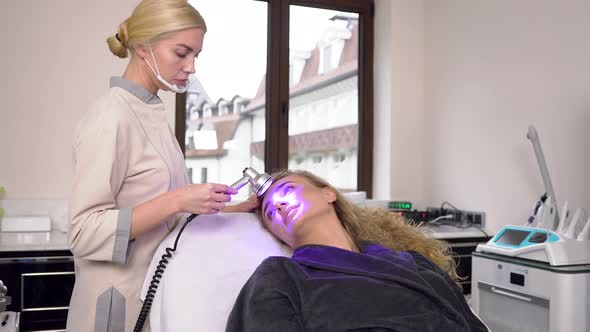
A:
(260, 183)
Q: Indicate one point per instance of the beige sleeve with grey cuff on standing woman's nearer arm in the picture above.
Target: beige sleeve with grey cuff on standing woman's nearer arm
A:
(99, 229)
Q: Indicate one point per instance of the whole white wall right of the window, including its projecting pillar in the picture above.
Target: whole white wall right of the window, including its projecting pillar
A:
(458, 82)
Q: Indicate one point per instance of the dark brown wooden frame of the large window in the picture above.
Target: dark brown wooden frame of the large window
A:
(276, 149)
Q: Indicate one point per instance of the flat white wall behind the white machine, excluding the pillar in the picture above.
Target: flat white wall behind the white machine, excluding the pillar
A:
(492, 69)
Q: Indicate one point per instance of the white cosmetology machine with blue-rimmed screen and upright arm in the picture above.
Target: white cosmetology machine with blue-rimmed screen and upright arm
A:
(535, 277)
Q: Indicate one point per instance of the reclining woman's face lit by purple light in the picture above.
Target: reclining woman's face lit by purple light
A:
(291, 203)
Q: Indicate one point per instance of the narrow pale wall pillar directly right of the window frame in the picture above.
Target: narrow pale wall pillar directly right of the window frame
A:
(399, 100)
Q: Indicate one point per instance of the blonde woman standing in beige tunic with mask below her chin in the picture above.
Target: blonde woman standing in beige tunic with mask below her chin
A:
(130, 186)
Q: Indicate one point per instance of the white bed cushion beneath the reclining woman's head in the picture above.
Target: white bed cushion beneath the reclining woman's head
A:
(216, 255)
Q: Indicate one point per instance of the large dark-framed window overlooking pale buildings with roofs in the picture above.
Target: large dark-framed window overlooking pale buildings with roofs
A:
(313, 75)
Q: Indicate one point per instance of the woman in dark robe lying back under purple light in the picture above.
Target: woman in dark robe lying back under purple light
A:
(352, 269)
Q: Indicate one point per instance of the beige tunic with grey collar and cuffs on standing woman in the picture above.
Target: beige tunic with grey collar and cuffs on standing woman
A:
(125, 154)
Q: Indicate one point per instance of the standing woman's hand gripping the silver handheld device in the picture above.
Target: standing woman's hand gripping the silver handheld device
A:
(205, 198)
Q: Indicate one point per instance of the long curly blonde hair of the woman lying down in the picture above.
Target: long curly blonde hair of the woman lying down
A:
(382, 227)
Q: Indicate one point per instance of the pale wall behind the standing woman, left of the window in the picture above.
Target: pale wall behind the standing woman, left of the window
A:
(54, 62)
